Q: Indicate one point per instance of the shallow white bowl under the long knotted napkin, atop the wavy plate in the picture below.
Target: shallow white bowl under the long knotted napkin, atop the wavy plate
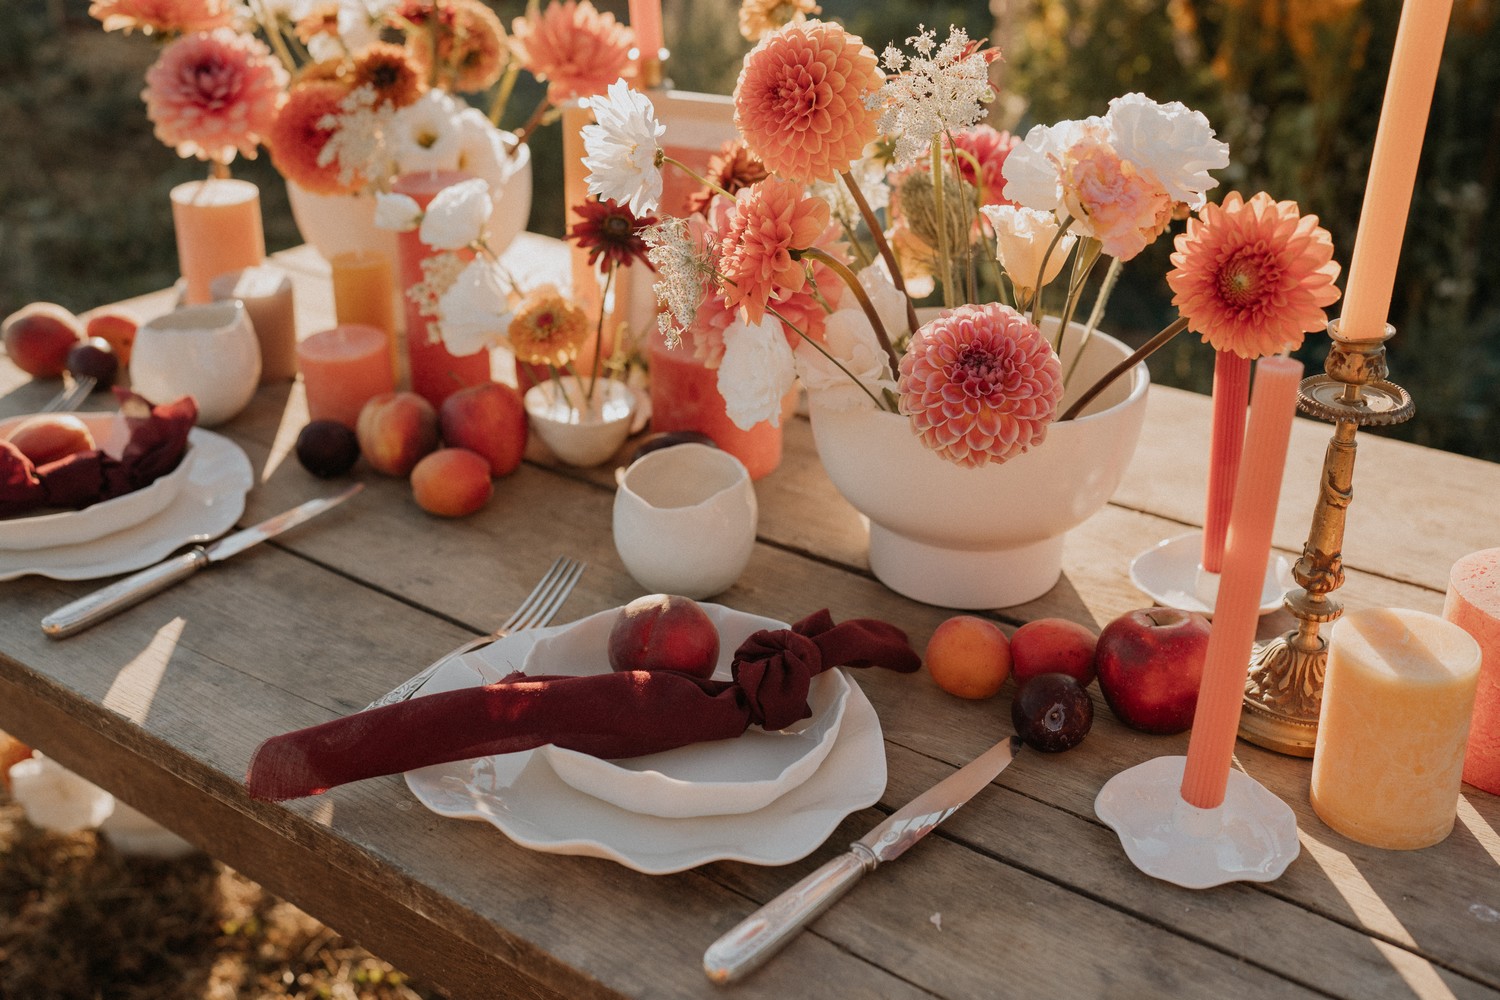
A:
(715, 779)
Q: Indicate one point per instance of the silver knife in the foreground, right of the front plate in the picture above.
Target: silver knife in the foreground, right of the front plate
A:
(761, 935)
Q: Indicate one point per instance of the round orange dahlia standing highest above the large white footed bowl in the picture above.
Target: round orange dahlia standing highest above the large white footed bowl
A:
(800, 103)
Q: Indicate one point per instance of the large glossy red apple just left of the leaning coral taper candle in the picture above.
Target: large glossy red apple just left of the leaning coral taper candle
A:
(1150, 665)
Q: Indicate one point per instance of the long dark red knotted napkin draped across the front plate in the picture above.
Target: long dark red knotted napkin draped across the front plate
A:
(607, 716)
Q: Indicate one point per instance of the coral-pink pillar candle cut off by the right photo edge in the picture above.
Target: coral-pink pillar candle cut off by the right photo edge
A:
(1474, 605)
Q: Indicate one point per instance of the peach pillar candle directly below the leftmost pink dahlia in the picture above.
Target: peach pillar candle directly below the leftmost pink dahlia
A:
(218, 226)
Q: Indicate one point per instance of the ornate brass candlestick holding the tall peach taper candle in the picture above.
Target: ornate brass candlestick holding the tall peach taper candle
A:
(1285, 690)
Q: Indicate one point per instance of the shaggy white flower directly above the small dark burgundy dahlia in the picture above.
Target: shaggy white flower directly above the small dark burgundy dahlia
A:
(622, 149)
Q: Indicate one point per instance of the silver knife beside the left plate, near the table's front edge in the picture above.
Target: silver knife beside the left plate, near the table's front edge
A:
(136, 588)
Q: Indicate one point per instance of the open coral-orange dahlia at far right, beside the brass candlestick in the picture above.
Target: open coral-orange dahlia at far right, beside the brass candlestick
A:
(1253, 277)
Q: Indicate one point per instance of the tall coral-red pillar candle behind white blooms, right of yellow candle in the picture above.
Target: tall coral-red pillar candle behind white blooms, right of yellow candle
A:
(436, 374)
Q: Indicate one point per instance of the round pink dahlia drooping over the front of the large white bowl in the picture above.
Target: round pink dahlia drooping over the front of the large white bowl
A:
(980, 385)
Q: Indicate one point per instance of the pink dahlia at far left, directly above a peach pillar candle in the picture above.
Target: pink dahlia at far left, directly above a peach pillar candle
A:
(214, 95)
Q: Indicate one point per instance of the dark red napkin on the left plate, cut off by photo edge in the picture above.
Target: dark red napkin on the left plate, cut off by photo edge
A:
(157, 445)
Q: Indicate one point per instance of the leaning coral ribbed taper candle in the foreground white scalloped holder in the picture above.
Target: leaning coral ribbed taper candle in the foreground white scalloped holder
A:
(1247, 549)
